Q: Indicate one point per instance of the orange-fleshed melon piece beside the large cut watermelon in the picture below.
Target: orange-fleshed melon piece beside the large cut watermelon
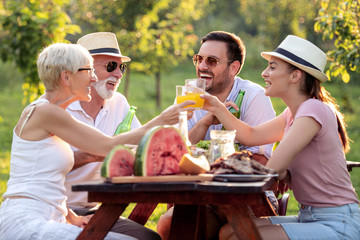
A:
(194, 165)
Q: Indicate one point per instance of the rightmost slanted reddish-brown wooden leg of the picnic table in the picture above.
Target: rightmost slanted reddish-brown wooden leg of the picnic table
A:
(242, 222)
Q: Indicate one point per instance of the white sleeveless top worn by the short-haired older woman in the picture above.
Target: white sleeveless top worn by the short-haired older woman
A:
(38, 169)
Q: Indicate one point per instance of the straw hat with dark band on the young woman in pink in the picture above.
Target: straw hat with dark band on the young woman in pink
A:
(302, 54)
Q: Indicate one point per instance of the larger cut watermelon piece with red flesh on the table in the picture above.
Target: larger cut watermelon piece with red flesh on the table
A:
(159, 152)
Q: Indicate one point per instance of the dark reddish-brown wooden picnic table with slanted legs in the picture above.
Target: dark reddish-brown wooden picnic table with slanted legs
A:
(189, 199)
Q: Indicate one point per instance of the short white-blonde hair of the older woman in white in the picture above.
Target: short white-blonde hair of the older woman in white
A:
(59, 57)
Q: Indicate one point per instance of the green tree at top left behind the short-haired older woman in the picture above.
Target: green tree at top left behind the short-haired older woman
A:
(27, 27)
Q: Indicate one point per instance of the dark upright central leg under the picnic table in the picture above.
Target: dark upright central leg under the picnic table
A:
(187, 222)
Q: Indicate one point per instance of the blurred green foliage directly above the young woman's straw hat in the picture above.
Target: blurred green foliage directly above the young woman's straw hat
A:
(274, 20)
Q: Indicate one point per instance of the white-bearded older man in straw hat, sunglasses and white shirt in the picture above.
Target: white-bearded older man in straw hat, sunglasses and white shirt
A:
(105, 111)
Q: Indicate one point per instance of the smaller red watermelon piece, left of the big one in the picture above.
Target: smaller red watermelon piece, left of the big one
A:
(119, 162)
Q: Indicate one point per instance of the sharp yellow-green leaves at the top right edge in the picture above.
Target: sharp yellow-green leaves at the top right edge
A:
(339, 20)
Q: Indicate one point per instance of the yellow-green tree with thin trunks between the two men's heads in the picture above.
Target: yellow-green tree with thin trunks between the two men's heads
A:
(156, 34)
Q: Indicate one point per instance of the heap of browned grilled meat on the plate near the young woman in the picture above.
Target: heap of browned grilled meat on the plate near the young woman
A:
(239, 163)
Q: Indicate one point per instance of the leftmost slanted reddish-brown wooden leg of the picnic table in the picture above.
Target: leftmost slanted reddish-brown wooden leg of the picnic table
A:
(97, 228)
